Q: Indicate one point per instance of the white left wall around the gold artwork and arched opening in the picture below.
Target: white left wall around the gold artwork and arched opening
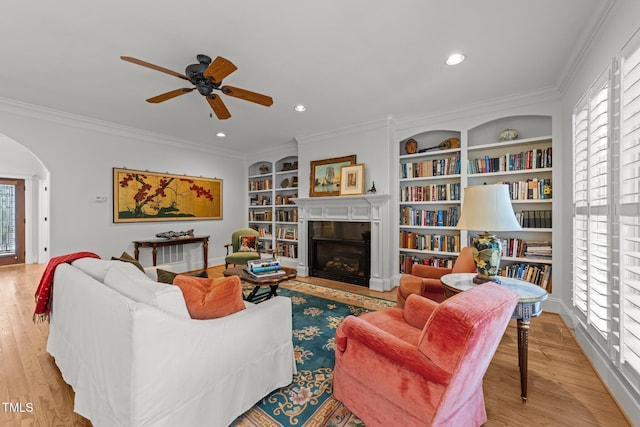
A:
(80, 154)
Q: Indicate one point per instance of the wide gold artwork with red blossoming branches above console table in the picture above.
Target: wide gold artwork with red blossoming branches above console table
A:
(142, 196)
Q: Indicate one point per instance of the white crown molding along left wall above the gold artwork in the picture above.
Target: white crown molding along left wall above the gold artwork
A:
(37, 112)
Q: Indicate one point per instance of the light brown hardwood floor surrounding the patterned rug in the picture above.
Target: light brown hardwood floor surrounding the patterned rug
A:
(564, 390)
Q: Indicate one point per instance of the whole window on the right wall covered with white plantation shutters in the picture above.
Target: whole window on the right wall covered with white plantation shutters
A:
(606, 226)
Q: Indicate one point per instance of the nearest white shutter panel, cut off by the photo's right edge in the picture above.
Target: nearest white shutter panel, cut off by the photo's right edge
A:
(629, 212)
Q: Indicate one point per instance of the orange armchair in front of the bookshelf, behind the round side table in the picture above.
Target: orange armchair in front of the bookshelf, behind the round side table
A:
(425, 279)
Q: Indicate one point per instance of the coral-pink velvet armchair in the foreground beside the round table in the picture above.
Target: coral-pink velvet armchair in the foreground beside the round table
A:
(424, 364)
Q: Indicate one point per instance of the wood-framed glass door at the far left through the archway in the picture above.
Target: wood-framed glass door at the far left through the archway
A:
(12, 221)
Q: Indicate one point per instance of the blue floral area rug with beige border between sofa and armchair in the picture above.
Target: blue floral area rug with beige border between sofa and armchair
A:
(308, 400)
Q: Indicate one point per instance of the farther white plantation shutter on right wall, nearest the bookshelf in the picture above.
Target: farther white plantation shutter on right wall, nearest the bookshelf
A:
(591, 211)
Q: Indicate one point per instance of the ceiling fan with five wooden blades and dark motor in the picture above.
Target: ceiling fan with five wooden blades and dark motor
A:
(206, 76)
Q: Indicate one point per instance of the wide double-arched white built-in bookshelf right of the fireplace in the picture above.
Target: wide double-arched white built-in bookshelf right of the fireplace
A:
(432, 185)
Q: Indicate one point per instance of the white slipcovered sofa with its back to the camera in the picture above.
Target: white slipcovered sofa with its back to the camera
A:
(134, 357)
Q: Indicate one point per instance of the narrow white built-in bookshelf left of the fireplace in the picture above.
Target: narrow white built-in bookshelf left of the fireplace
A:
(272, 188)
